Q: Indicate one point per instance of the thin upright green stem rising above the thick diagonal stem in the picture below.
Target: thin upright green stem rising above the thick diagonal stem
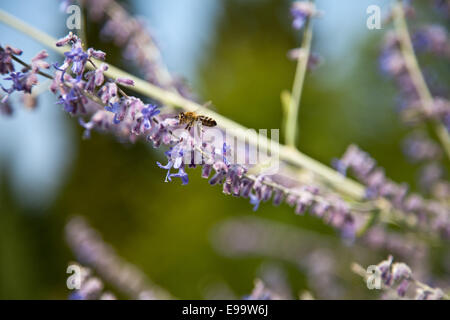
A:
(297, 87)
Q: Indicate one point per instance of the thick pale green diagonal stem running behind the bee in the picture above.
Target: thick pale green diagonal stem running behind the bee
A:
(286, 153)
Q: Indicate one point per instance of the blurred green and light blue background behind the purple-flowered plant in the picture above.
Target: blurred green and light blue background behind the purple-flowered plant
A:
(233, 53)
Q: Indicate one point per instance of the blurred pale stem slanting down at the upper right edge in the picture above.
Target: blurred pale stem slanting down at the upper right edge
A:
(416, 75)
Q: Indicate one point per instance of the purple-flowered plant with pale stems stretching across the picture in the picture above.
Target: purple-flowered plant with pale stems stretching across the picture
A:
(363, 210)
